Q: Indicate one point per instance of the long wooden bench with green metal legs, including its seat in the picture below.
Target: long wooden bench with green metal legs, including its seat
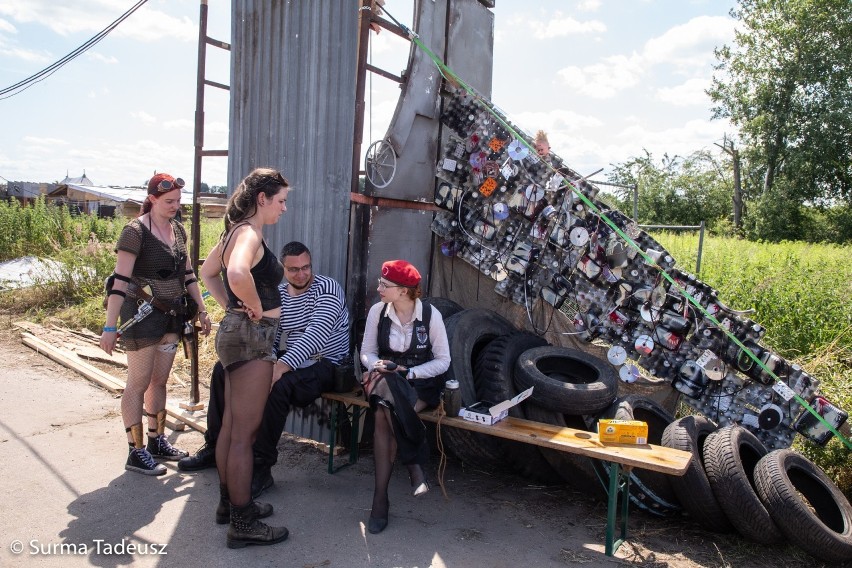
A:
(620, 457)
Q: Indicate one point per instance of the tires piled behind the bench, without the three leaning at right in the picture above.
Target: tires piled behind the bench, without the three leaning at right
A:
(493, 361)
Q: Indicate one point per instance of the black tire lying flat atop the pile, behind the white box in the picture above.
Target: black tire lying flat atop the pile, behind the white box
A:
(566, 380)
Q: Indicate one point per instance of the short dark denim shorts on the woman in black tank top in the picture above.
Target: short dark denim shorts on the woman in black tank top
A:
(239, 339)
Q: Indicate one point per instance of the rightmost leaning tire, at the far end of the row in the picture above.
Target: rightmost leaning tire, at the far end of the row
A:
(805, 504)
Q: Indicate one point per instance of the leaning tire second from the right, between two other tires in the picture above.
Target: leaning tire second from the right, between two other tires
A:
(730, 457)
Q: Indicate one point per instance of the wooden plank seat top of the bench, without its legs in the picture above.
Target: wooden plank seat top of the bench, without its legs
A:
(645, 456)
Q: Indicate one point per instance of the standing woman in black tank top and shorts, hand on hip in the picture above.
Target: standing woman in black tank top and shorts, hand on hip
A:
(242, 274)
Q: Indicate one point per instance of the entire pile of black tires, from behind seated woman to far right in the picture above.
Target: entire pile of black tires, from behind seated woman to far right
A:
(732, 483)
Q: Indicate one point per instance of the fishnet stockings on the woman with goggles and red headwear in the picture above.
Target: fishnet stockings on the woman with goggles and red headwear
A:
(147, 373)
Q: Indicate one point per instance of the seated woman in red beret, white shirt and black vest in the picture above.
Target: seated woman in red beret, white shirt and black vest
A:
(405, 347)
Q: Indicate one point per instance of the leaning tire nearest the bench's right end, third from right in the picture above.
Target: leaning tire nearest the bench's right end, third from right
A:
(693, 488)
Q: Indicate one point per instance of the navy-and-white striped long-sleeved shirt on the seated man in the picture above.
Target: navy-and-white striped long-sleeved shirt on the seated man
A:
(315, 324)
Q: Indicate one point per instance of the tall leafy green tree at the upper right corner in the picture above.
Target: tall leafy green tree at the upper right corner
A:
(785, 84)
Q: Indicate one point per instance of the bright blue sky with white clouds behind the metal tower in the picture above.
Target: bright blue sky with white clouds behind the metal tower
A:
(607, 79)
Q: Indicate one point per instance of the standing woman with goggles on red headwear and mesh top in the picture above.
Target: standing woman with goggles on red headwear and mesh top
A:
(152, 263)
